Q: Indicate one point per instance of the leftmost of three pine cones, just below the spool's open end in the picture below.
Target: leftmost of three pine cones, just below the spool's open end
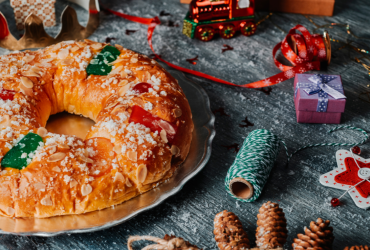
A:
(229, 233)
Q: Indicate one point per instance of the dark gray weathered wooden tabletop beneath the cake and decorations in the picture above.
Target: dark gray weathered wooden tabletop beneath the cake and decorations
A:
(190, 213)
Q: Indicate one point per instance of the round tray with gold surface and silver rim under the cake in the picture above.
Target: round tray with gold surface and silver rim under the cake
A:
(199, 154)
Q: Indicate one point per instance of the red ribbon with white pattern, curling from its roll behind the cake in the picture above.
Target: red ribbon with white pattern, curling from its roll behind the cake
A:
(311, 51)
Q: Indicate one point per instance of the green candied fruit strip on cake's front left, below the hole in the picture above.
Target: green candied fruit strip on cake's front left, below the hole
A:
(23, 152)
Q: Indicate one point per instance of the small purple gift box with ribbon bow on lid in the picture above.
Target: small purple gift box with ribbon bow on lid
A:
(309, 107)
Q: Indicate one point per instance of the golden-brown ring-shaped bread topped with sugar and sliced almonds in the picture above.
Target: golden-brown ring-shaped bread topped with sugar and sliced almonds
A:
(117, 161)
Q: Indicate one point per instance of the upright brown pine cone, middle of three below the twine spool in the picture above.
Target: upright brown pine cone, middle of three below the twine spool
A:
(271, 231)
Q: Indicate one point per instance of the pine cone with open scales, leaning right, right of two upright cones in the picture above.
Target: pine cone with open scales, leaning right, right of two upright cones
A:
(318, 237)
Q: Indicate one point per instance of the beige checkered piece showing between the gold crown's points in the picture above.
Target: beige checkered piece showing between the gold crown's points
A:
(44, 9)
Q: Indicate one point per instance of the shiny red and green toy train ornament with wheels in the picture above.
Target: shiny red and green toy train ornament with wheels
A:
(224, 17)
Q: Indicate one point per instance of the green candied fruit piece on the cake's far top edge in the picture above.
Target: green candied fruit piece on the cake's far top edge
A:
(100, 64)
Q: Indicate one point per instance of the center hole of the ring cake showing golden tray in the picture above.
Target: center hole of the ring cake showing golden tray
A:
(69, 124)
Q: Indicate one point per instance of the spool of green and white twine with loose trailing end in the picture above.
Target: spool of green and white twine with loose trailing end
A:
(255, 160)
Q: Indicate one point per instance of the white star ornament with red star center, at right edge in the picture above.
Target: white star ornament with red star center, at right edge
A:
(348, 175)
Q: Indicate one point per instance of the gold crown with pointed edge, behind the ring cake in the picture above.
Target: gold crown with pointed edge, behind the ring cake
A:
(35, 35)
